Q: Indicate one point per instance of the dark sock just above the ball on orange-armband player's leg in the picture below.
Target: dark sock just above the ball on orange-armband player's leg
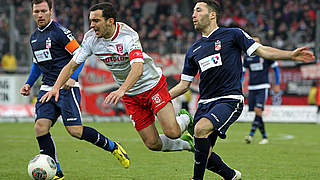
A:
(47, 146)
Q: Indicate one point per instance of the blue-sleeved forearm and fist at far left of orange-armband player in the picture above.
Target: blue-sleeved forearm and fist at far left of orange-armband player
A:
(33, 76)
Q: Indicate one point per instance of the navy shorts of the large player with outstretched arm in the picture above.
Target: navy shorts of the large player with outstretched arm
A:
(222, 113)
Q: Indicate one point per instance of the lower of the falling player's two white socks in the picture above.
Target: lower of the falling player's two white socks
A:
(173, 144)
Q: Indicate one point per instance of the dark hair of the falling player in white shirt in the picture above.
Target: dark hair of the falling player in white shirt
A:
(107, 10)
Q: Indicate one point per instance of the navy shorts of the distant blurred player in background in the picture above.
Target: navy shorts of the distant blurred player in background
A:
(257, 98)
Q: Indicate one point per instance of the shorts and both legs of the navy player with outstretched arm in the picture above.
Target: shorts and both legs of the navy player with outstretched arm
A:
(215, 119)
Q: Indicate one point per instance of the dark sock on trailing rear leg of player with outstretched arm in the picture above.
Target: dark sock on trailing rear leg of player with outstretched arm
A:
(216, 164)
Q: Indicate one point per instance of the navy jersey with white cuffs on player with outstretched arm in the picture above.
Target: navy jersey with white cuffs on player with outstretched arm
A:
(217, 58)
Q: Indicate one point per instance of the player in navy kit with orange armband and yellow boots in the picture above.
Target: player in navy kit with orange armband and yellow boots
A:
(53, 46)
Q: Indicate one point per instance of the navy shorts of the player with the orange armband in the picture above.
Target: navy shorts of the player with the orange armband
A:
(68, 106)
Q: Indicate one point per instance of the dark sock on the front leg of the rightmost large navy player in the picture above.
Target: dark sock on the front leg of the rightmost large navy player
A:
(202, 147)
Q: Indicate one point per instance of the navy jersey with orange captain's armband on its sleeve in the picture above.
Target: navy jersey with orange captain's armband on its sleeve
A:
(52, 47)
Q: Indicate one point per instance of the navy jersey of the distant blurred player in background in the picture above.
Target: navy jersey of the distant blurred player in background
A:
(259, 71)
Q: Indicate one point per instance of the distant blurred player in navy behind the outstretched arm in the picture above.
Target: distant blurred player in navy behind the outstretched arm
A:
(258, 89)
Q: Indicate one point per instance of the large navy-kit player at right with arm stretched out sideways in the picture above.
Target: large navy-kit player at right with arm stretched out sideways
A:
(217, 58)
